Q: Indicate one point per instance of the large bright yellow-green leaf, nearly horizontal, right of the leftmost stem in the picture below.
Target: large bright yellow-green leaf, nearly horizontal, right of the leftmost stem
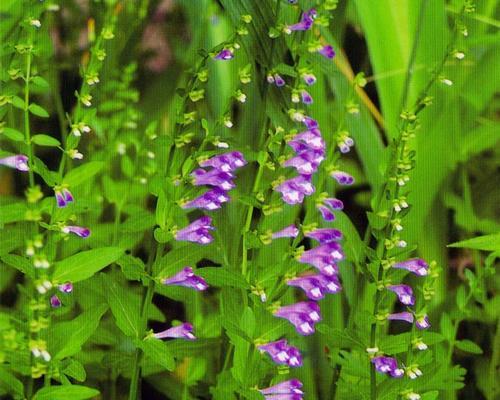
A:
(83, 265)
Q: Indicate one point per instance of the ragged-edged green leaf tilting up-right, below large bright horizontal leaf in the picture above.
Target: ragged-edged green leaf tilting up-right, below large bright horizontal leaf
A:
(75, 333)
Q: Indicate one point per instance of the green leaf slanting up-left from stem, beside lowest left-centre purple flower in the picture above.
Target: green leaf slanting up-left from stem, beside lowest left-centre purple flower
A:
(123, 306)
